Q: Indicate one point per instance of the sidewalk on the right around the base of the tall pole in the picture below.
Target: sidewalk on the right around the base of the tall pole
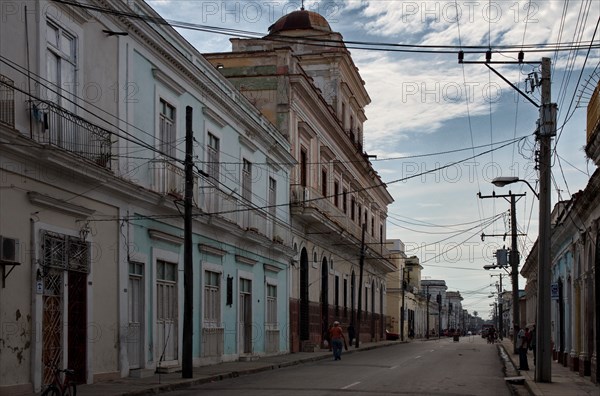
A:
(564, 381)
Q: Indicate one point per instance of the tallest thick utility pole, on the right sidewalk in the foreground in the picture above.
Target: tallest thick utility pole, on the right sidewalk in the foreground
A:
(547, 129)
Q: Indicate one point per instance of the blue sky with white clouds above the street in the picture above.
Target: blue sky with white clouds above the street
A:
(443, 130)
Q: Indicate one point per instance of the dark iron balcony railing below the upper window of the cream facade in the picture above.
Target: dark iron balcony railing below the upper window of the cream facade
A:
(64, 129)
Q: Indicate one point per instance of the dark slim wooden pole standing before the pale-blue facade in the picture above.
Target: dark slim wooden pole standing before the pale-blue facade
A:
(188, 275)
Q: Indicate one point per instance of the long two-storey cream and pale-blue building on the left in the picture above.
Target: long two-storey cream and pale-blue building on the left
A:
(94, 112)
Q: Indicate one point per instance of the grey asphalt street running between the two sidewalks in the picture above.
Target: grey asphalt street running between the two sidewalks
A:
(444, 367)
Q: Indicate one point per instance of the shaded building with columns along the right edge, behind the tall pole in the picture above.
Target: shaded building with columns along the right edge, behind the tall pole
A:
(575, 275)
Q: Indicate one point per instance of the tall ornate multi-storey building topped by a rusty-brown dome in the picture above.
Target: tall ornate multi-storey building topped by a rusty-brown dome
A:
(302, 78)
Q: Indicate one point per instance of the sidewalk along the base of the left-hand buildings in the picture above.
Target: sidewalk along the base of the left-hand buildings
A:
(173, 381)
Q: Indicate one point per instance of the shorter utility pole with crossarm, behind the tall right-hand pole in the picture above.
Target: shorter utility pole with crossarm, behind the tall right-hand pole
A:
(514, 261)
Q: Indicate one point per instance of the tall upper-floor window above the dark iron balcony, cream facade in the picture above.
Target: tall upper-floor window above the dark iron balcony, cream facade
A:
(61, 64)
